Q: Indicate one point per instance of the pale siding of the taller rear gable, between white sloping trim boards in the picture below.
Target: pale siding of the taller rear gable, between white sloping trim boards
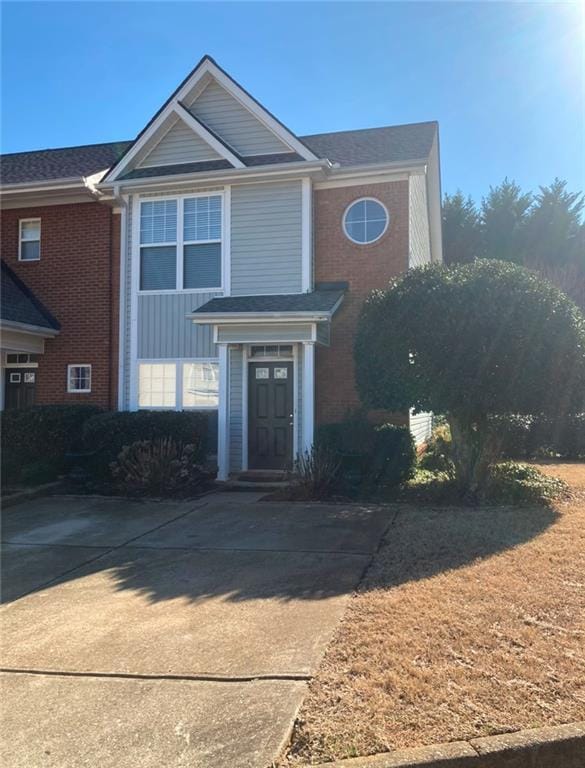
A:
(233, 123)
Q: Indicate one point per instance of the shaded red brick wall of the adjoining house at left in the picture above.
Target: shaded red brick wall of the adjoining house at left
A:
(77, 280)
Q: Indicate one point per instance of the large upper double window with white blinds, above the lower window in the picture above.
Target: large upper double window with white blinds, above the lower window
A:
(175, 256)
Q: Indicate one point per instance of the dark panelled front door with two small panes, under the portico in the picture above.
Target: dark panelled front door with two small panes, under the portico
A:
(270, 415)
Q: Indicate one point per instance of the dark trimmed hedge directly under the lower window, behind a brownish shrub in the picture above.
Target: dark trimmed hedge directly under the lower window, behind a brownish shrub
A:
(108, 433)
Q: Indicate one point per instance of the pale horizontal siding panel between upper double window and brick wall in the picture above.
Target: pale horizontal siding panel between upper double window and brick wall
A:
(266, 240)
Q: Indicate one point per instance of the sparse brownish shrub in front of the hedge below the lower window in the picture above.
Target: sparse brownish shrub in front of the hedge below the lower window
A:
(158, 467)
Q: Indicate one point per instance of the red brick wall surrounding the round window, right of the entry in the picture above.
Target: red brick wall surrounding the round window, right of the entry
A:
(364, 267)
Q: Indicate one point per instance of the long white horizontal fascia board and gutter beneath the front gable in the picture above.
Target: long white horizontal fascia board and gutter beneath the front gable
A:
(227, 176)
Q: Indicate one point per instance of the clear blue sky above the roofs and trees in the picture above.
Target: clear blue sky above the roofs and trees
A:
(506, 81)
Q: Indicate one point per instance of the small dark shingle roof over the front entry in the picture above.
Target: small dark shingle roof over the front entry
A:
(316, 301)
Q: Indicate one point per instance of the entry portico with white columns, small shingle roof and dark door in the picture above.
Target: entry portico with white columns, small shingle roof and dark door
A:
(266, 346)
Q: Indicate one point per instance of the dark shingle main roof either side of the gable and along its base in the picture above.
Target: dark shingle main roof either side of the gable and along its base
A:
(397, 143)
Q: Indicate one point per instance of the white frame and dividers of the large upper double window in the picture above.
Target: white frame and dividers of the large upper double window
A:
(179, 242)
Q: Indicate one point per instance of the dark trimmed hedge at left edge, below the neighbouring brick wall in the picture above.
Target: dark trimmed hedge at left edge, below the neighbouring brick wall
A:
(35, 440)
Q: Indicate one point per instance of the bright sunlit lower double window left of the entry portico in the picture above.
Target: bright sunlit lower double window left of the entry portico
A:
(178, 385)
